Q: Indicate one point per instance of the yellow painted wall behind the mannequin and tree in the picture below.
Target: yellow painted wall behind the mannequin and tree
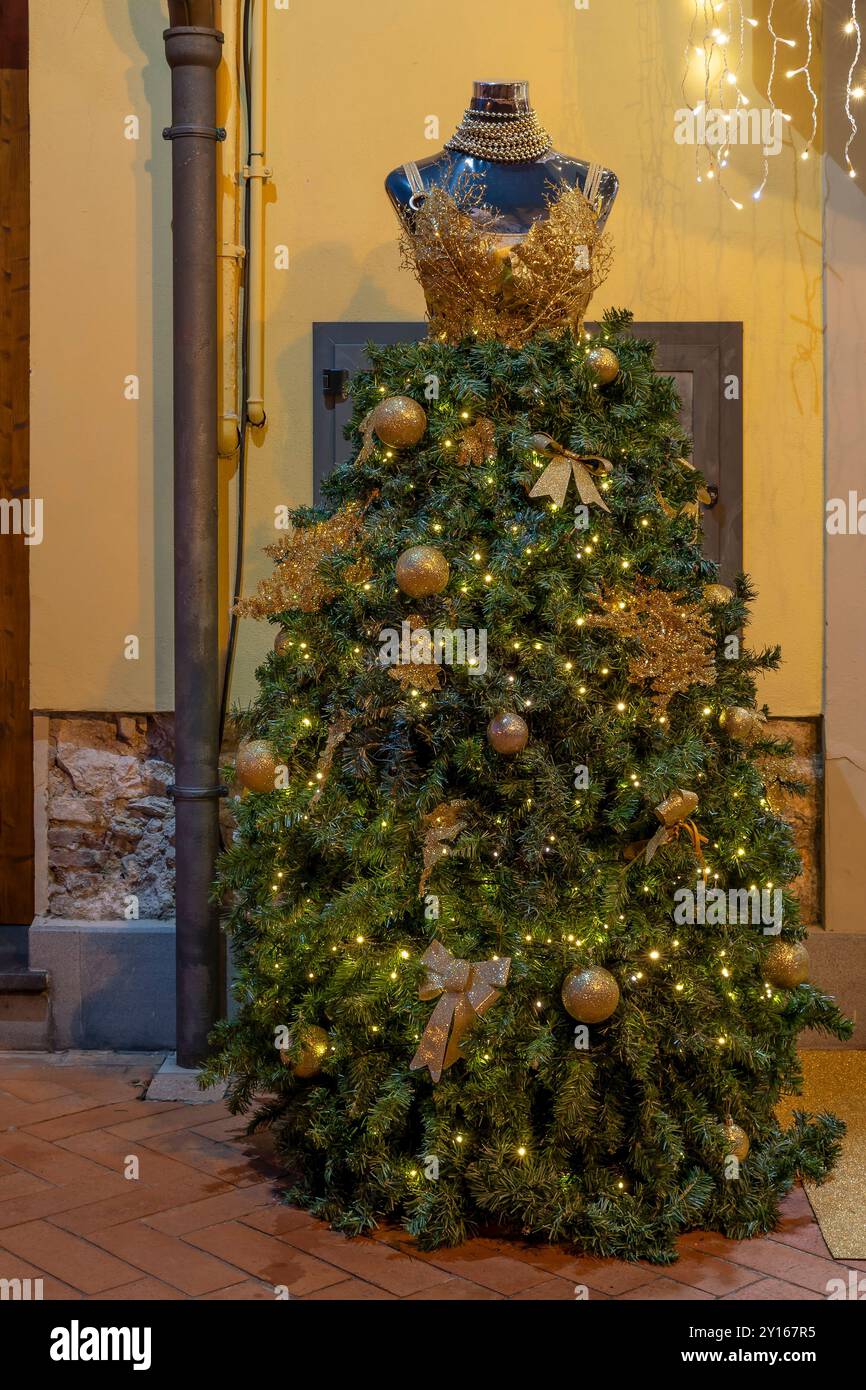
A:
(350, 91)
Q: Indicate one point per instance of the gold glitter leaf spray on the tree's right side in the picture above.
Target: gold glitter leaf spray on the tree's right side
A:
(675, 650)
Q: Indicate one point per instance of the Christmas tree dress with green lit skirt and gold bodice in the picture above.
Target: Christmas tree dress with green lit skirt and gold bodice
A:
(469, 992)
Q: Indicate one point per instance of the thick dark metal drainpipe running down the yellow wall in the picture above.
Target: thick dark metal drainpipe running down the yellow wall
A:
(194, 56)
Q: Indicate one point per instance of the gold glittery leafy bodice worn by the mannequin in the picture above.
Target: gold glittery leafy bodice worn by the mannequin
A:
(483, 286)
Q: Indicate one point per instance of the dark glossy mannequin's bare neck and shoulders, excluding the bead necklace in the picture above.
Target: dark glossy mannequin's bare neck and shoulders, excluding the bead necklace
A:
(516, 193)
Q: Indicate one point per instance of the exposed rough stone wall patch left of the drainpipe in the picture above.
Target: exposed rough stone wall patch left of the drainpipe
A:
(111, 819)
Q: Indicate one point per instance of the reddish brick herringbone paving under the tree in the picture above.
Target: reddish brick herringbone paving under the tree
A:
(204, 1218)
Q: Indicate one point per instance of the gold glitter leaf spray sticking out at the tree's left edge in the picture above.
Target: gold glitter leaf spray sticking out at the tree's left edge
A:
(295, 583)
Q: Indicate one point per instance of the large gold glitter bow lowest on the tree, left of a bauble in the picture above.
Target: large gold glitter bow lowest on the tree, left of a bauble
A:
(469, 989)
